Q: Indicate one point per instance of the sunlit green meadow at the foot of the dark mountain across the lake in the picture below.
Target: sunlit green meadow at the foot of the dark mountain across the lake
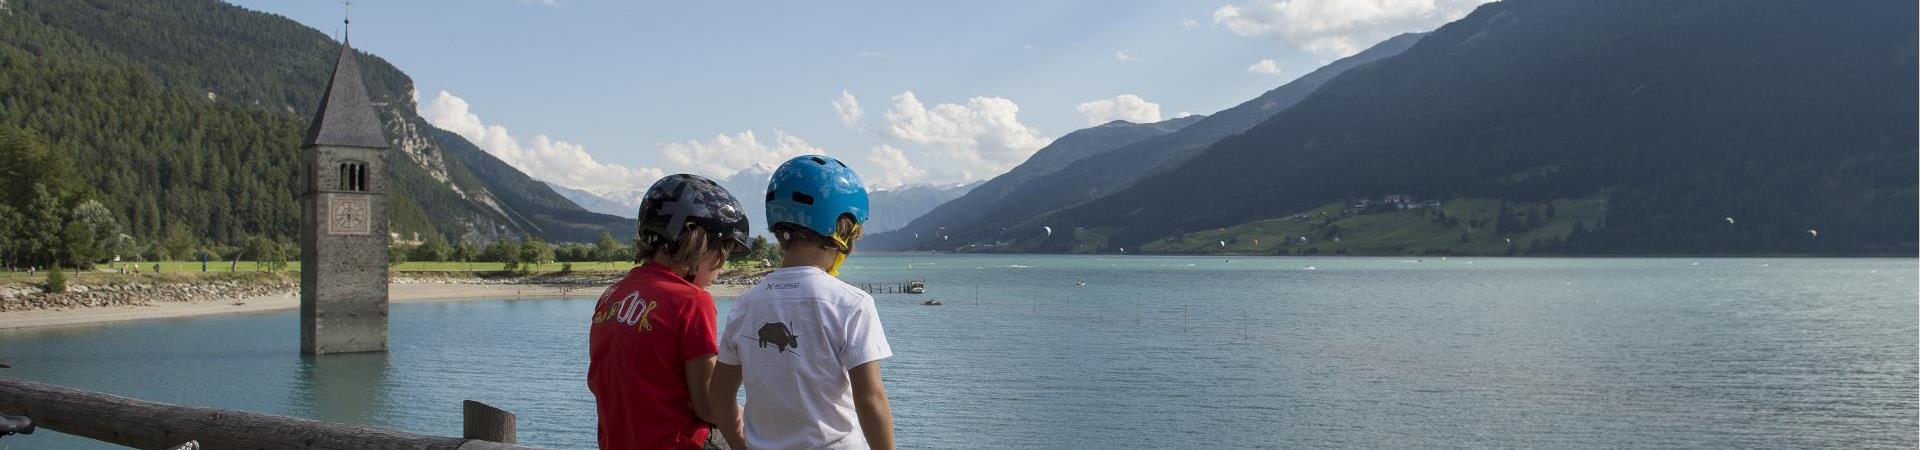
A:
(1401, 232)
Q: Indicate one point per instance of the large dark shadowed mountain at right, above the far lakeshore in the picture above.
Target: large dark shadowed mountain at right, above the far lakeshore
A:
(1792, 116)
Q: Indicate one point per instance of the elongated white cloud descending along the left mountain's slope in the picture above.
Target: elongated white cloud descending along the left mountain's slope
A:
(542, 157)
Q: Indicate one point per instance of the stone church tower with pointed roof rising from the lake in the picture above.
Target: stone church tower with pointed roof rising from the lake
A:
(343, 236)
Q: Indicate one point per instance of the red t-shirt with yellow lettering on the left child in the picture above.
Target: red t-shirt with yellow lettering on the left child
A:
(646, 328)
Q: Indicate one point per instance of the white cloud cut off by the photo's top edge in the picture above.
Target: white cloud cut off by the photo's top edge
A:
(1339, 28)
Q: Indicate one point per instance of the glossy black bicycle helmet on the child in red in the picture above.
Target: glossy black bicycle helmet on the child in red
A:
(684, 199)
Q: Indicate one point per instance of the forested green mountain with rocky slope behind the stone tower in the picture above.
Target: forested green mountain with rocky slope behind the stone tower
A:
(189, 114)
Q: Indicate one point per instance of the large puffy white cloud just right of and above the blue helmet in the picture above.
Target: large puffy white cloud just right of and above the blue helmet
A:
(984, 136)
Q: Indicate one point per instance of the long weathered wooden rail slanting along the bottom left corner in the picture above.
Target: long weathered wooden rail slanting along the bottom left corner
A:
(143, 424)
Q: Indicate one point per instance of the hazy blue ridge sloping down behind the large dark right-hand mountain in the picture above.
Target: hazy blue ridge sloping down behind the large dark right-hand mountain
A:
(1109, 161)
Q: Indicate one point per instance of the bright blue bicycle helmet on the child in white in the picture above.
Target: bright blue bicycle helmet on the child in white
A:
(815, 191)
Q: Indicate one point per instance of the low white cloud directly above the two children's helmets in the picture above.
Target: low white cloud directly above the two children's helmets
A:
(729, 155)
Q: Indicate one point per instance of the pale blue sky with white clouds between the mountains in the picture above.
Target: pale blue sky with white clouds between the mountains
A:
(610, 95)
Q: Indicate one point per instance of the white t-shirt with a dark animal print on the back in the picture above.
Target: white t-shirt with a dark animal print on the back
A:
(796, 336)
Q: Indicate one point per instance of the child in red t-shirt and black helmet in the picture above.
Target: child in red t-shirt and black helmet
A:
(654, 341)
